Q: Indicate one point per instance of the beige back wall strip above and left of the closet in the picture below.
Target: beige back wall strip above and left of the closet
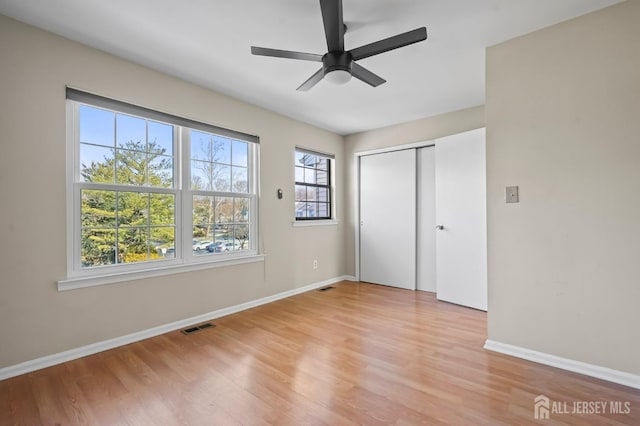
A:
(425, 129)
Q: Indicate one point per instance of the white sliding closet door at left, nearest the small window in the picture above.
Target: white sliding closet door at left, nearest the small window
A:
(388, 219)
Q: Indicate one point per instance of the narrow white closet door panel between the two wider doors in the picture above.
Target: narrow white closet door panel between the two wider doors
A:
(426, 220)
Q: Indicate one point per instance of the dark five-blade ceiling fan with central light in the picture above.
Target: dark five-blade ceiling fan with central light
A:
(339, 65)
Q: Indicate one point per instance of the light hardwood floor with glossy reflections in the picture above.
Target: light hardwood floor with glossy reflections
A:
(356, 354)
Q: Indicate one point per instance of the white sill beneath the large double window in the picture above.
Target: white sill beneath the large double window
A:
(82, 282)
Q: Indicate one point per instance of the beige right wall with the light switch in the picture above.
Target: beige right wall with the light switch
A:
(563, 123)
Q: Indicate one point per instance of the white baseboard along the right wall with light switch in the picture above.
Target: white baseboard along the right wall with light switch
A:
(604, 373)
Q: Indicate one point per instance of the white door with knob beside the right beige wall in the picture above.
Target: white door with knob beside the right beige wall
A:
(461, 245)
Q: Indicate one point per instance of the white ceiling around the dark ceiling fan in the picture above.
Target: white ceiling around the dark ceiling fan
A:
(208, 42)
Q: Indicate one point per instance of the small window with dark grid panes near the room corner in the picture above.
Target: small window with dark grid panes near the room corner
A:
(313, 185)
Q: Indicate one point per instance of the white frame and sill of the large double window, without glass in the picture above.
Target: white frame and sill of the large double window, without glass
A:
(185, 259)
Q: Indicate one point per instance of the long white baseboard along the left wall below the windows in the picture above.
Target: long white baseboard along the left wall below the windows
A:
(59, 358)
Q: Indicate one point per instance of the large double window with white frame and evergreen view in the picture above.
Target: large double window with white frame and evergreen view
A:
(150, 189)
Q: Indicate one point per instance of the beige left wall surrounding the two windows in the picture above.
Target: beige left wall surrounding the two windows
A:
(37, 320)
